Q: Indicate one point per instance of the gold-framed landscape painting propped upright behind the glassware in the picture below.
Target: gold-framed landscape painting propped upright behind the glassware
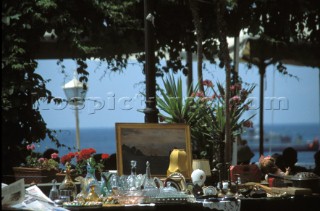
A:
(151, 142)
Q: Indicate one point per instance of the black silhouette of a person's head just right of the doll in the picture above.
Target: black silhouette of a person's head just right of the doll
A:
(290, 158)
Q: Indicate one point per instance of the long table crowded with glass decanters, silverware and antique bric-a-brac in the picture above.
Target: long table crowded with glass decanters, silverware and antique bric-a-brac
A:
(146, 192)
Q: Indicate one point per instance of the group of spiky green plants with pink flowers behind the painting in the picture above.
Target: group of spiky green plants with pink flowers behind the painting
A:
(204, 112)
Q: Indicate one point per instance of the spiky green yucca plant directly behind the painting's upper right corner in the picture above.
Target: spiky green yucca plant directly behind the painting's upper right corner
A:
(174, 107)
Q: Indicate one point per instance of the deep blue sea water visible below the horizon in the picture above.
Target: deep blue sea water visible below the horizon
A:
(104, 140)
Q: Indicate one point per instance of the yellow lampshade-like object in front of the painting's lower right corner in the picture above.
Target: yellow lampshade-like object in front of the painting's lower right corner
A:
(178, 162)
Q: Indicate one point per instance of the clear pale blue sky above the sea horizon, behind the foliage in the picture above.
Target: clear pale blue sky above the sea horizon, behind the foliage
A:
(115, 97)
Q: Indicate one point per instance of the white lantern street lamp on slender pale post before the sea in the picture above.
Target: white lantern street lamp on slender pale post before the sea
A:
(75, 92)
